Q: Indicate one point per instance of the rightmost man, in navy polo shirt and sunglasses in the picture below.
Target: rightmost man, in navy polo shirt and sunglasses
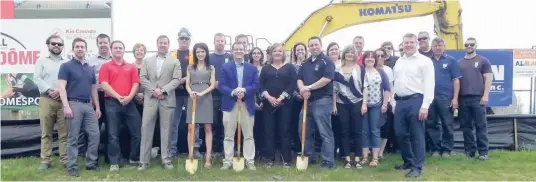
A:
(475, 86)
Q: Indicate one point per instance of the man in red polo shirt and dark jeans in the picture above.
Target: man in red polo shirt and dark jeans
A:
(120, 82)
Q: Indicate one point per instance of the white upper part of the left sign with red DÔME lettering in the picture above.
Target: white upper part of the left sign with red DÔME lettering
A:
(23, 40)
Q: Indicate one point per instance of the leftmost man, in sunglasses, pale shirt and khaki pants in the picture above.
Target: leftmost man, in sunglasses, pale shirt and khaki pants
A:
(46, 79)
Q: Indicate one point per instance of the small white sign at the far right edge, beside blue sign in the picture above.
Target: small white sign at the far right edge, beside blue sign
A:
(525, 63)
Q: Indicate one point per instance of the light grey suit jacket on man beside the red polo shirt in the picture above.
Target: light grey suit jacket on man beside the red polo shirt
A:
(168, 80)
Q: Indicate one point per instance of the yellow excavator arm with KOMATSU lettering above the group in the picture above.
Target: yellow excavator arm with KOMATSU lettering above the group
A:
(336, 16)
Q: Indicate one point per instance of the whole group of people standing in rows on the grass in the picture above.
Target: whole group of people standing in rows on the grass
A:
(359, 96)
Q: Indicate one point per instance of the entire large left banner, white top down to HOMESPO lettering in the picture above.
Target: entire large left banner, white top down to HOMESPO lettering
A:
(22, 43)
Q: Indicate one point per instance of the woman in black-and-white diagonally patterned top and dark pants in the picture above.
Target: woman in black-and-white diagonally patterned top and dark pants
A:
(347, 101)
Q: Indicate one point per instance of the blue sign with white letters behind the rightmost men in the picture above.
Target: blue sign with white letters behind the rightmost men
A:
(503, 74)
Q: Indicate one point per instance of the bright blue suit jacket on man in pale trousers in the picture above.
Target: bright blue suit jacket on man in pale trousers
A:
(228, 81)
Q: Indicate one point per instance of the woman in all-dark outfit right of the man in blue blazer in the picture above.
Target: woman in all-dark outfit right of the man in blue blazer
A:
(277, 82)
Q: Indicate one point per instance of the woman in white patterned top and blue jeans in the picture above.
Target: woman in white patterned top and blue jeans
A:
(375, 98)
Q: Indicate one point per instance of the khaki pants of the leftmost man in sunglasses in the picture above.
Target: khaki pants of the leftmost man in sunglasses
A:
(51, 112)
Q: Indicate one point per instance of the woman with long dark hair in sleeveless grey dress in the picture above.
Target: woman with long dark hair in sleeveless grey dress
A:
(200, 81)
